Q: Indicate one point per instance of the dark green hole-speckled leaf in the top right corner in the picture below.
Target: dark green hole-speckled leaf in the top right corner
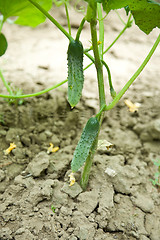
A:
(145, 12)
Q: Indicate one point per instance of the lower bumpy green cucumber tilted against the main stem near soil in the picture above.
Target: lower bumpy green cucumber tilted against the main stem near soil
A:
(85, 143)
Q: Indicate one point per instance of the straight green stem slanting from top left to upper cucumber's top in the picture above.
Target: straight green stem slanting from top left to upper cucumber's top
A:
(59, 26)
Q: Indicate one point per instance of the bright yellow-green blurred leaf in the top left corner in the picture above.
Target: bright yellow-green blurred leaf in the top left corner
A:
(26, 13)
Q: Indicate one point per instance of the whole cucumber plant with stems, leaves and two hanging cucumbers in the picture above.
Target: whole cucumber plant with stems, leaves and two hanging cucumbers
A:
(145, 13)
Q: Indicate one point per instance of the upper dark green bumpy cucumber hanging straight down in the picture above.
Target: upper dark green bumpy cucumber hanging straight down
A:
(75, 72)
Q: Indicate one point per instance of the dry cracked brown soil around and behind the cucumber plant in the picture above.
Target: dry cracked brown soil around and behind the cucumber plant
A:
(36, 201)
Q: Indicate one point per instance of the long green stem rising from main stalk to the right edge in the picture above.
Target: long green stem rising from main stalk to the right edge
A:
(135, 75)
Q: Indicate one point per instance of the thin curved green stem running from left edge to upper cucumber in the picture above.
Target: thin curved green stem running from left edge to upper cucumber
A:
(34, 94)
